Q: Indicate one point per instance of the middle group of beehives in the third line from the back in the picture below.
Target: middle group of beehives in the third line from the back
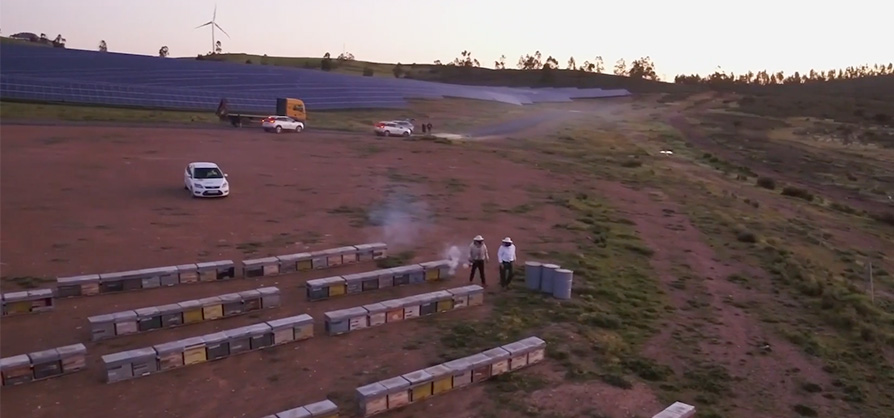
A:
(144, 361)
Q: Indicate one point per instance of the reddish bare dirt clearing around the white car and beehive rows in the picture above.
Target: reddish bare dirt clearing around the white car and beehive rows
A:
(89, 200)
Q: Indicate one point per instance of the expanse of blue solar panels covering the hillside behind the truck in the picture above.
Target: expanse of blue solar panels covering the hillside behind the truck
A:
(90, 77)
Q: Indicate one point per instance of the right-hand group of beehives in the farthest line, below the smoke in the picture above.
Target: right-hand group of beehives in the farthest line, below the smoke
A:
(283, 264)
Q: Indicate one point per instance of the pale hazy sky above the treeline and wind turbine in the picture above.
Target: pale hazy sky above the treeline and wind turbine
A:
(680, 36)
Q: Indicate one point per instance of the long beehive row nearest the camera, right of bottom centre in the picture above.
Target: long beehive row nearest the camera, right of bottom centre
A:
(412, 387)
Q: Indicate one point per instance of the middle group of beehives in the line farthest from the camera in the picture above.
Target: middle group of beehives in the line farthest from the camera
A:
(94, 284)
